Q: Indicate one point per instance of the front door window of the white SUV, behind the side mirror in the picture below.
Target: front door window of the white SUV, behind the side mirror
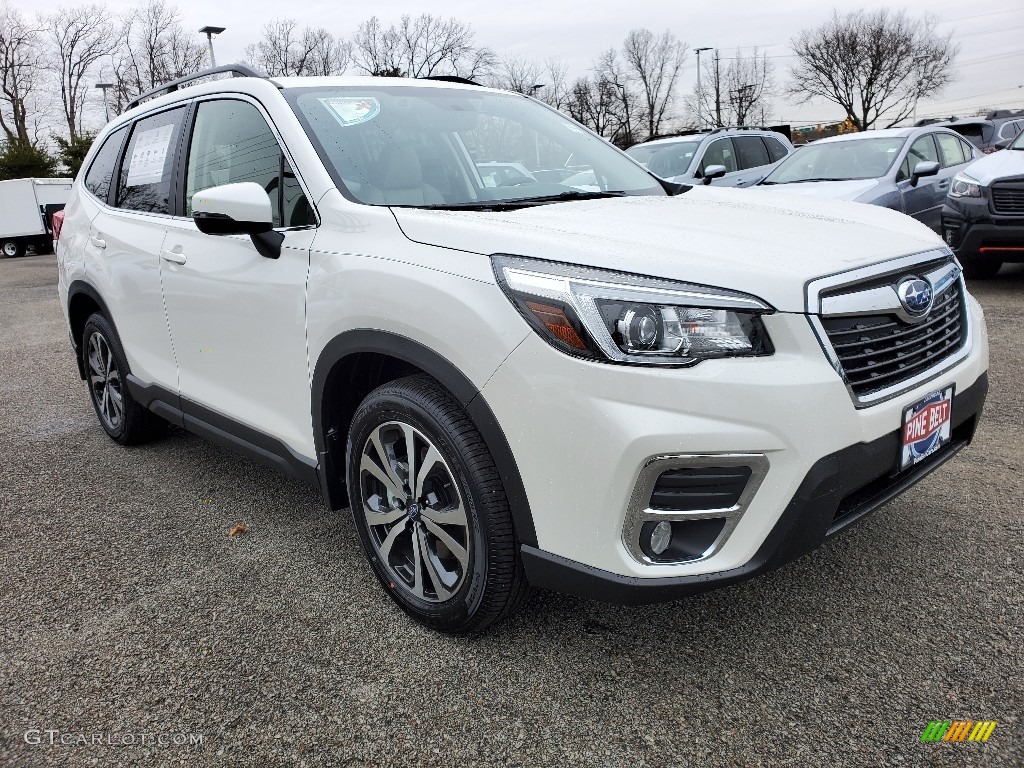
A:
(232, 144)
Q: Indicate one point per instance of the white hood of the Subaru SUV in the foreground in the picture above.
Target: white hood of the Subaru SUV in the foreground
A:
(765, 245)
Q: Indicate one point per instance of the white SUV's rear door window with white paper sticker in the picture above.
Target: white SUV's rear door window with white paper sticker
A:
(147, 169)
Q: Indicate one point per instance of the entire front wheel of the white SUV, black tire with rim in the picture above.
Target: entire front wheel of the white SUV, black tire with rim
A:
(462, 478)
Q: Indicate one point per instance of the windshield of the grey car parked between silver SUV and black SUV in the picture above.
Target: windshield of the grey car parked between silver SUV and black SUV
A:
(838, 161)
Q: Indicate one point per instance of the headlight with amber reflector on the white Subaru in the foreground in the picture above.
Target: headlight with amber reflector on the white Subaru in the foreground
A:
(622, 318)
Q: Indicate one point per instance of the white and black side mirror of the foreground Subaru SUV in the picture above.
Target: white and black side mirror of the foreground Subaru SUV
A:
(239, 209)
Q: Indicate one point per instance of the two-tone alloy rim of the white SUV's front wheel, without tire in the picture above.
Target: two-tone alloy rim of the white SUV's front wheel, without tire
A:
(415, 513)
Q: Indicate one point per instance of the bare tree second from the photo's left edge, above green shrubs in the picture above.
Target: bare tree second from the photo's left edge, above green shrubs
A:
(80, 37)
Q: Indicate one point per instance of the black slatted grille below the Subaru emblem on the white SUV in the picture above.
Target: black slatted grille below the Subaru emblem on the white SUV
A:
(881, 351)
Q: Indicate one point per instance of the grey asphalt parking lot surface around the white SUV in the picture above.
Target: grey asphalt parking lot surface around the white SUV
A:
(125, 610)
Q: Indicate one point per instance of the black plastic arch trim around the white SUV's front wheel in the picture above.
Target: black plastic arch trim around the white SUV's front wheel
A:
(331, 445)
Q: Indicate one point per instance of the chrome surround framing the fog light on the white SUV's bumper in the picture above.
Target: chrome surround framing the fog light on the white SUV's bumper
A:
(637, 514)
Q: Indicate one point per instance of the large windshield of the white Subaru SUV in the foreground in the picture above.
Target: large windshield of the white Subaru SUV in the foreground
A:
(453, 148)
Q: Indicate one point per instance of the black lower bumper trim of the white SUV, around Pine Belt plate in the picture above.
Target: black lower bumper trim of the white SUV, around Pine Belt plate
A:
(839, 491)
